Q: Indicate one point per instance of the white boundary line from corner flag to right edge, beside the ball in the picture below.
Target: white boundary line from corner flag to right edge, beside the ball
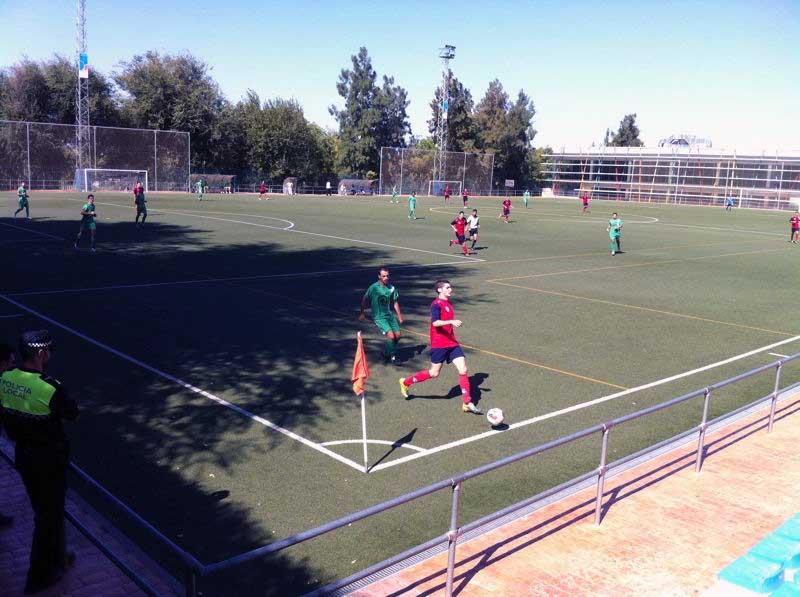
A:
(580, 406)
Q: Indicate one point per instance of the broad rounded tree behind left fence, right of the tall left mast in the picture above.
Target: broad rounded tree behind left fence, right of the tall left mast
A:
(173, 92)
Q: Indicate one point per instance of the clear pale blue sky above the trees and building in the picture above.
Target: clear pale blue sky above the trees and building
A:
(728, 70)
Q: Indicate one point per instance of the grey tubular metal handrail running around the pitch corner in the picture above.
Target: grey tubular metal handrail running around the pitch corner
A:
(194, 570)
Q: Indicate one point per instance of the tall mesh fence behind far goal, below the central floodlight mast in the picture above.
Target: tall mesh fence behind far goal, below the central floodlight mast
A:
(412, 170)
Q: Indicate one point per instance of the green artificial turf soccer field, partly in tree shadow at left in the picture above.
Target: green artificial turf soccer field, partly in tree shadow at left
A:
(211, 350)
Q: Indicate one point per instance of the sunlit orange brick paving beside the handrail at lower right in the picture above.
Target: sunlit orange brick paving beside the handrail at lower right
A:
(666, 529)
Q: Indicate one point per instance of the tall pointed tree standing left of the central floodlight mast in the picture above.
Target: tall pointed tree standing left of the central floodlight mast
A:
(371, 117)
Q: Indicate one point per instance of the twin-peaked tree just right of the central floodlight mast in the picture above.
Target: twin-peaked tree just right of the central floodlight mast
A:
(506, 130)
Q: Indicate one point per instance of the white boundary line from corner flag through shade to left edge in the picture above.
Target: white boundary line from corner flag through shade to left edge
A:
(190, 387)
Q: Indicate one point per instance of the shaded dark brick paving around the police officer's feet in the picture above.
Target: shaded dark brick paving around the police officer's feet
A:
(93, 573)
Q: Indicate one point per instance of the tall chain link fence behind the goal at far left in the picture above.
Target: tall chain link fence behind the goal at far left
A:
(44, 155)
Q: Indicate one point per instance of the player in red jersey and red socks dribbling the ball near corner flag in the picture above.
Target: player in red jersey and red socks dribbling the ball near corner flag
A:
(444, 347)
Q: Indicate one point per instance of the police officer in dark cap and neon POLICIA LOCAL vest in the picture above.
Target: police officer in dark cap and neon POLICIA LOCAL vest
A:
(34, 406)
